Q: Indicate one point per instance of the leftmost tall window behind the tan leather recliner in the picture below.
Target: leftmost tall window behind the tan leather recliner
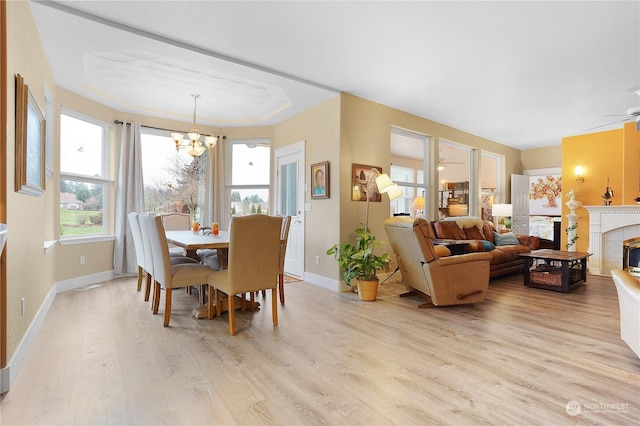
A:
(409, 152)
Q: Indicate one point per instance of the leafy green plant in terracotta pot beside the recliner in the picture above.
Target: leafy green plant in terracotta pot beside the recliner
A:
(360, 262)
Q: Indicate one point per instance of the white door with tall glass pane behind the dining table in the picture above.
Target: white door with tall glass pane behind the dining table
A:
(290, 202)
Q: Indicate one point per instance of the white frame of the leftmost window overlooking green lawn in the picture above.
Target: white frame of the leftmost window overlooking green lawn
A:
(103, 180)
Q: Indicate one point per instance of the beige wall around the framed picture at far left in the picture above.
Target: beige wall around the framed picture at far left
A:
(30, 274)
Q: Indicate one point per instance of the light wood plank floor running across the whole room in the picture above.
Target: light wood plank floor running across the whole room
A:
(101, 357)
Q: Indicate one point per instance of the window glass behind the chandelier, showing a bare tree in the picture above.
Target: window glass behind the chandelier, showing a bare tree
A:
(173, 180)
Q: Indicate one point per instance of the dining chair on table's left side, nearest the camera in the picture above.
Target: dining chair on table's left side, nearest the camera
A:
(166, 274)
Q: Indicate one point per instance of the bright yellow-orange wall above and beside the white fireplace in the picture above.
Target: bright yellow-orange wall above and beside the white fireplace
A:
(613, 154)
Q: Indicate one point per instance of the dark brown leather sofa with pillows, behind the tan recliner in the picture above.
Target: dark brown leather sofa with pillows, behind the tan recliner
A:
(504, 259)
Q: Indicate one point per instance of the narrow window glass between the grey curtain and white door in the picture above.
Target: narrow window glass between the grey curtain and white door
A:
(247, 187)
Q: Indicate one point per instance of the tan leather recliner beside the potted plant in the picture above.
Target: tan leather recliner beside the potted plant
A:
(452, 280)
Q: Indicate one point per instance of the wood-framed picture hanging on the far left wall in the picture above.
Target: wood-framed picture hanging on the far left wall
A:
(30, 147)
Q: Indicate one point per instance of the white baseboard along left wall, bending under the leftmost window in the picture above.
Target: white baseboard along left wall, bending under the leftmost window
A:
(10, 372)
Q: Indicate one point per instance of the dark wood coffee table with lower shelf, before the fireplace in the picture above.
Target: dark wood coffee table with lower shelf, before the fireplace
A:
(559, 270)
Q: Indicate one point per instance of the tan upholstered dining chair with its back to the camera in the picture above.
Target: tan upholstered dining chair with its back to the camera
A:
(254, 259)
